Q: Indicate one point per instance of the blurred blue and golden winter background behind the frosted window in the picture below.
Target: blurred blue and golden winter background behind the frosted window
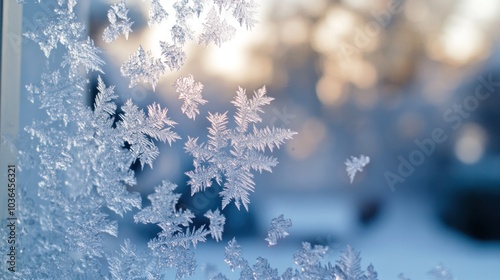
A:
(412, 84)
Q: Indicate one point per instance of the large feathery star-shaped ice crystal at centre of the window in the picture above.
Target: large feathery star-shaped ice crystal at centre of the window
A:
(230, 155)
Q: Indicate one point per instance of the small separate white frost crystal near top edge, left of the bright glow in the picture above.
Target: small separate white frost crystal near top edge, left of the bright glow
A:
(119, 23)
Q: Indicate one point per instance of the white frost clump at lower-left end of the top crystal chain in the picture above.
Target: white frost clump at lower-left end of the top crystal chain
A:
(143, 67)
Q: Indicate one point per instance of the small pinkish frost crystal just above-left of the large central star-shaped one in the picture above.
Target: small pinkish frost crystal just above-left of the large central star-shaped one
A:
(190, 92)
